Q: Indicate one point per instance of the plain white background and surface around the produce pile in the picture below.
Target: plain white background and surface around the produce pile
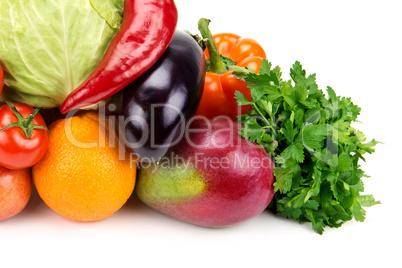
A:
(354, 47)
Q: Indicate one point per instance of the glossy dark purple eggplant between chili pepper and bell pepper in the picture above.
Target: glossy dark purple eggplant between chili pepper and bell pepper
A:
(157, 106)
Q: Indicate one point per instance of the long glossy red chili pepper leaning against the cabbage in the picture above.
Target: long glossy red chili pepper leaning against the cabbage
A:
(146, 31)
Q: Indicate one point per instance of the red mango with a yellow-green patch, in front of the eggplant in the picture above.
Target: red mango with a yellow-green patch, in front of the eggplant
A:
(212, 177)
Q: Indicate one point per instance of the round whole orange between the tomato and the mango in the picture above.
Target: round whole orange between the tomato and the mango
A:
(85, 175)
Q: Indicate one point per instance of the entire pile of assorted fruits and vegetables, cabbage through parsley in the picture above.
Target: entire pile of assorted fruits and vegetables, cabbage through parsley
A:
(102, 100)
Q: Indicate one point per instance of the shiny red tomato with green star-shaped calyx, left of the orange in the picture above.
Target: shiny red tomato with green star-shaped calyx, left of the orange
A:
(19, 149)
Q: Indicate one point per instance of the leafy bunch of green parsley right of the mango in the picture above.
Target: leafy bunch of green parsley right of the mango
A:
(315, 148)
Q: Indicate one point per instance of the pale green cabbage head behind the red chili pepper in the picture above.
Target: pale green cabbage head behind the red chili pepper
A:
(49, 47)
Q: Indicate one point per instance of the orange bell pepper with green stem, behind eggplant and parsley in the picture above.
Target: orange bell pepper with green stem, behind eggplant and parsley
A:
(223, 51)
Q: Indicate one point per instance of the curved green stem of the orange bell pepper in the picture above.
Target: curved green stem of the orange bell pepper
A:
(216, 64)
